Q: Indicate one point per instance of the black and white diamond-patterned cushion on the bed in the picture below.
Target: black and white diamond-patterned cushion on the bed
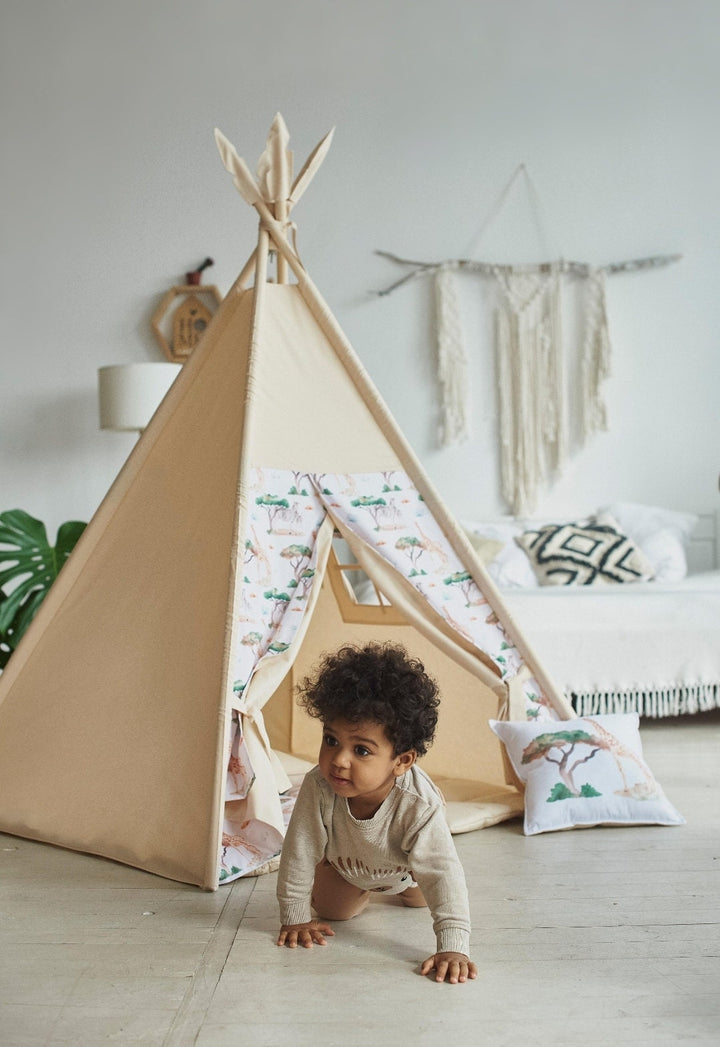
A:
(591, 552)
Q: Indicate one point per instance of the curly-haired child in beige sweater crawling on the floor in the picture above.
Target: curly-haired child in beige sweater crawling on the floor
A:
(367, 818)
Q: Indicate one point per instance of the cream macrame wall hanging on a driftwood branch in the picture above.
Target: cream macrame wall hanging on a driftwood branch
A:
(534, 369)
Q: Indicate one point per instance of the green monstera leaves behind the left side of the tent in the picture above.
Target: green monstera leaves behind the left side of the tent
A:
(29, 567)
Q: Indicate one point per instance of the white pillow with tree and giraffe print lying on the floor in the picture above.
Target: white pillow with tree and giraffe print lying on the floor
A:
(584, 772)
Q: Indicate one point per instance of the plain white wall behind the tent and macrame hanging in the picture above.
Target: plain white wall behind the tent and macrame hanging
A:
(114, 190)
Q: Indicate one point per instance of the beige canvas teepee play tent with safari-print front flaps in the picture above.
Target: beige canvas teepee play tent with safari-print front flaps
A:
(142, 716)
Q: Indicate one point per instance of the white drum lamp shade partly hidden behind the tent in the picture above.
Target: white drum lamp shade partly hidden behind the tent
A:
(131, 393)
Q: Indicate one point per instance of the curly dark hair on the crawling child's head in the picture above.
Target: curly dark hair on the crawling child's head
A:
(379, 684)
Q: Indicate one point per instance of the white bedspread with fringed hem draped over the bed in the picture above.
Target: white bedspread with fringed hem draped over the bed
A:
(650, 649)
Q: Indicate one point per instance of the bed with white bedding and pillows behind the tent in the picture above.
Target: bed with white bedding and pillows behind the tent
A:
(650, 644)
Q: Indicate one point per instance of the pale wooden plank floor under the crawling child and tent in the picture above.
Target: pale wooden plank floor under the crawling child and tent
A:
(595, 938)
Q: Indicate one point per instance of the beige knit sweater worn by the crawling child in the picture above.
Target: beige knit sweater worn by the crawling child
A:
(408, 840)
